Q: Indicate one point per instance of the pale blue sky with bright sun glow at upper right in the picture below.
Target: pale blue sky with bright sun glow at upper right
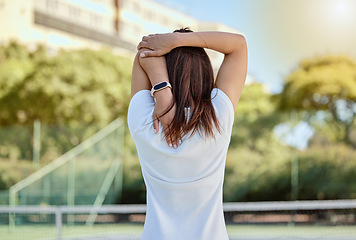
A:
(281, 33)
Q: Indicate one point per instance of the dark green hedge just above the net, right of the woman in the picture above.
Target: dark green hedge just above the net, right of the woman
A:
(325, 173)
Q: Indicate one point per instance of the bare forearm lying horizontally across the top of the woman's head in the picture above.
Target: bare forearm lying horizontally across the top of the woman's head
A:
(222, 42)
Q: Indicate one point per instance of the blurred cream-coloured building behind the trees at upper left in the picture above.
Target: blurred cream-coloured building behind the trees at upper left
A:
(119, 24)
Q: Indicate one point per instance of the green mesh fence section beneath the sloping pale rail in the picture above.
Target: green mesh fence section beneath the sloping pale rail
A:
(89, 174)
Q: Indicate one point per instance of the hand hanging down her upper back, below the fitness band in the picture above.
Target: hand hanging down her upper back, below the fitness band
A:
(164, 101)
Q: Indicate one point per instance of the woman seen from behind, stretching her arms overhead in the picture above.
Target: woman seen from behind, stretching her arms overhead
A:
(181, 122)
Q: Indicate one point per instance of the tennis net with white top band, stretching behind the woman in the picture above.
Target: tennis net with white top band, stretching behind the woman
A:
(322, 220)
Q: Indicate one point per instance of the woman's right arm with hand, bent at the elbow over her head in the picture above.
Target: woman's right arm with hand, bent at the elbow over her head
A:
(232, 73)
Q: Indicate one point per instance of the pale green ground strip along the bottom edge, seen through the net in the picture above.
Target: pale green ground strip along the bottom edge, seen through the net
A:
(41, 232)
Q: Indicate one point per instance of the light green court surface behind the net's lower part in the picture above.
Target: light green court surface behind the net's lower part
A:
(236, 232)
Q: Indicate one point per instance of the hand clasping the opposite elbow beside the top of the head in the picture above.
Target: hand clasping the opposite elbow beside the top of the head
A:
(160, 44)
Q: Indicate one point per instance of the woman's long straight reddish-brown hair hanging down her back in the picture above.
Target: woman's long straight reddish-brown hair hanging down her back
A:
(191, 76)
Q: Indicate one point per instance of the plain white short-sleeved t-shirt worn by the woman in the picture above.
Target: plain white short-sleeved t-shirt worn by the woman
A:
(184, 185)
